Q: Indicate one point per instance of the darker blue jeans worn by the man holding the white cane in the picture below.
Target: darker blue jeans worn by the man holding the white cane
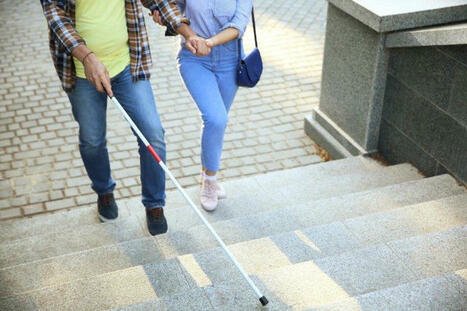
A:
(89, 110)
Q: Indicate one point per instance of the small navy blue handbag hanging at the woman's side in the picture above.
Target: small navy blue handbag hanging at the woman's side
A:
(249, 68)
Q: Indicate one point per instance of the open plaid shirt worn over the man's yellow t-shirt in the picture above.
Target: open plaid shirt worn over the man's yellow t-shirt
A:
(63, 38)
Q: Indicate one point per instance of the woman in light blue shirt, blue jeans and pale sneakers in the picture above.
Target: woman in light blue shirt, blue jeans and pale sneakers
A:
(210, 77)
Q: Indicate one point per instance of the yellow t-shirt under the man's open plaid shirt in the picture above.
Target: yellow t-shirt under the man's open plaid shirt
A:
(102, 24)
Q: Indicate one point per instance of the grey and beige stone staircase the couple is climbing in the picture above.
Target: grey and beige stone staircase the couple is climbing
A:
(343, 235)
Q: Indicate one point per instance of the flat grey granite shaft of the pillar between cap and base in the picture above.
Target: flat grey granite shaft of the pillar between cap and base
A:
(354, 74)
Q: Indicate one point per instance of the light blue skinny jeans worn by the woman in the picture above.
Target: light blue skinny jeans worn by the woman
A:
(211, 81)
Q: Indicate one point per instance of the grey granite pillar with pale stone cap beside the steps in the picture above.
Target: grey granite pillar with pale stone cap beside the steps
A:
(355, 66)
